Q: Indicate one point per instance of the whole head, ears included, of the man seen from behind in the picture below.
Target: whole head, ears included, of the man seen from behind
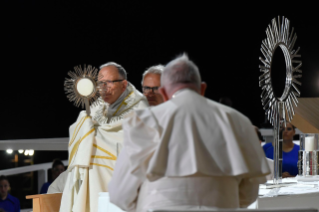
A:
(178, 74)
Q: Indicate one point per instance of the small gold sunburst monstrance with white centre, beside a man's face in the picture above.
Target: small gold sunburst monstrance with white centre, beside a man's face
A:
(81, 88)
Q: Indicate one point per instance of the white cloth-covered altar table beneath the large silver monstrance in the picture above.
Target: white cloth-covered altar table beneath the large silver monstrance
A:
(300, 195)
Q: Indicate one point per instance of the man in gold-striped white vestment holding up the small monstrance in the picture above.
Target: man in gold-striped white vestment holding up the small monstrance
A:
(96, 140)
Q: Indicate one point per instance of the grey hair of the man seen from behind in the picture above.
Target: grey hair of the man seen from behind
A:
(181, 70)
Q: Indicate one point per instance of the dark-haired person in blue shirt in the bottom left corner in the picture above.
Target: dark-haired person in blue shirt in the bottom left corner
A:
(8, 203)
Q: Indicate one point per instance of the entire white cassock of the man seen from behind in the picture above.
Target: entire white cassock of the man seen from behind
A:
(188, 153)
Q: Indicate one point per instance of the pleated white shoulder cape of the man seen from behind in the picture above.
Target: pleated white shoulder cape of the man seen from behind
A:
(209, 138)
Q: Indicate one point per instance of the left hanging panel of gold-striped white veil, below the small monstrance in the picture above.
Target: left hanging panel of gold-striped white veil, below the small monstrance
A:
(76, 197)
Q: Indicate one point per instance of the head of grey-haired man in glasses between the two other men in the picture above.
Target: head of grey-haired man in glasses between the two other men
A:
(150, 84)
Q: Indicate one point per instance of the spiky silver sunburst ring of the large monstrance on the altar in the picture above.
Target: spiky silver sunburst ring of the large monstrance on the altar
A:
(278, 34)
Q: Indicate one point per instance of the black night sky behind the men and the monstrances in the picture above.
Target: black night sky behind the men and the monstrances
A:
(43, 40)
